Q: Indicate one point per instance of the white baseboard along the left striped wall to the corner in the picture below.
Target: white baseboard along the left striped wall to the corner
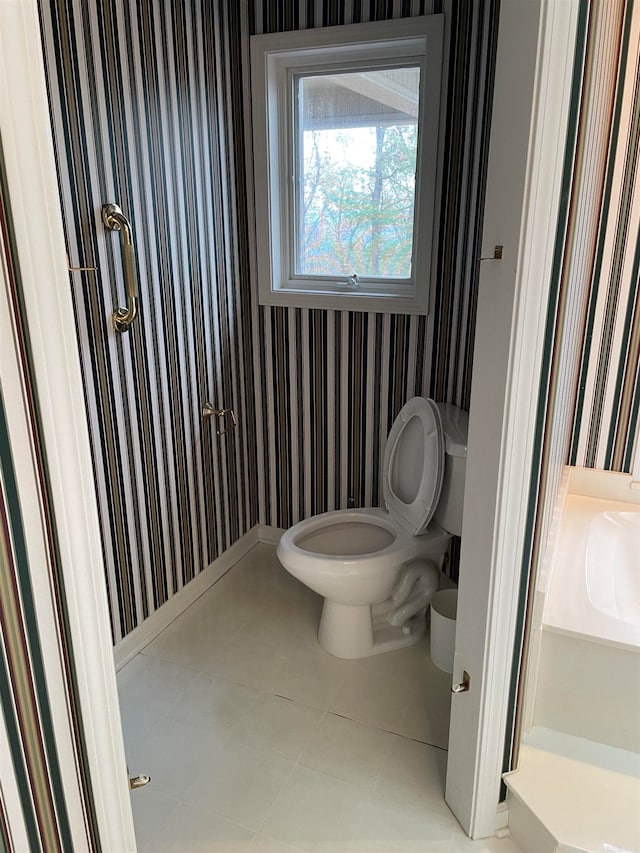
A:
(141, 636)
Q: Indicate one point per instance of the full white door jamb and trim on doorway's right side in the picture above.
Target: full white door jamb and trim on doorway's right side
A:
(530, 109)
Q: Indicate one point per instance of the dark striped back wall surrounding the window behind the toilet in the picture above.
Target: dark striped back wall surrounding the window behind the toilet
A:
(329, 383)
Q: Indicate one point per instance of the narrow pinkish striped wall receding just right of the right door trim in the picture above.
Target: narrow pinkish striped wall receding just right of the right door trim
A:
(580, 231)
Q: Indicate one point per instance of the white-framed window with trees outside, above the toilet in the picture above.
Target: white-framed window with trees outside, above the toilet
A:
(345, 132)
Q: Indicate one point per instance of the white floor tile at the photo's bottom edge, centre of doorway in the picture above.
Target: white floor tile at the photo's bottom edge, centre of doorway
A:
(315, 812)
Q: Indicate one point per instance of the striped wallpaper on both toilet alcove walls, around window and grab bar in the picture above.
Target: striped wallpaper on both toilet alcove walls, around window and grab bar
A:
(150, 109)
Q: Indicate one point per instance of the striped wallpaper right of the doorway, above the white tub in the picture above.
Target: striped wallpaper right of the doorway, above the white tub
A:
(589, 394)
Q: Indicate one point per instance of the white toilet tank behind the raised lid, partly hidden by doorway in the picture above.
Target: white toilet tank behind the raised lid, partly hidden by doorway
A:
(455, 425)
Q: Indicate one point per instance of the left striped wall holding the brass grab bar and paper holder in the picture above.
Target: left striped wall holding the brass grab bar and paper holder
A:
(142, 107)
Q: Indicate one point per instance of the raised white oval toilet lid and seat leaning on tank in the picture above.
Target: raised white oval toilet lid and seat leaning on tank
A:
(414, 465)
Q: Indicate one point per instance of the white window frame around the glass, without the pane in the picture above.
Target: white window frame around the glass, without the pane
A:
(276, 60)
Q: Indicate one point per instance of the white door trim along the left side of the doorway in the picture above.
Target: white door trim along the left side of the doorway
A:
(37, 216)
